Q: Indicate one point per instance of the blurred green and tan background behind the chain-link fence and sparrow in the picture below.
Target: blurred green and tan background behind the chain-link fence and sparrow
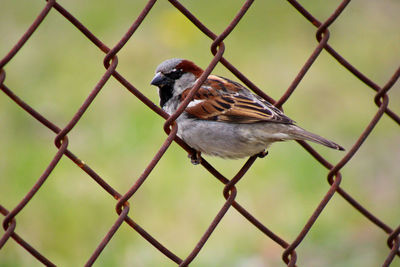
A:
(118, 136)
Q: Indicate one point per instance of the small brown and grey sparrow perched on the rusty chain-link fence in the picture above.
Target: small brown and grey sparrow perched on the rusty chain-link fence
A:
(224, 118)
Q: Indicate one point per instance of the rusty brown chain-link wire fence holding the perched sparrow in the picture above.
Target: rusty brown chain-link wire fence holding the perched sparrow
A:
(334, 178)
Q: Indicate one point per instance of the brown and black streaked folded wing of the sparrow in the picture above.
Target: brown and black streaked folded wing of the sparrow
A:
(221, 100)
